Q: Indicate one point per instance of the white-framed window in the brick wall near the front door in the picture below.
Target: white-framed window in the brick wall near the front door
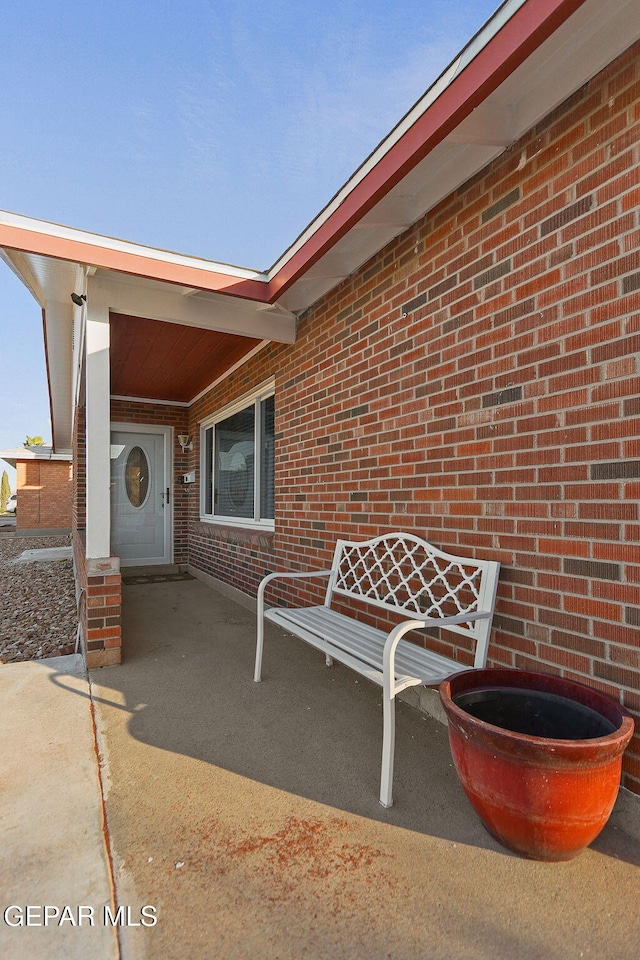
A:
(238, 462)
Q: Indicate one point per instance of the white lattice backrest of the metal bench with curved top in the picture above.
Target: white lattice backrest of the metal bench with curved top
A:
(406, 574)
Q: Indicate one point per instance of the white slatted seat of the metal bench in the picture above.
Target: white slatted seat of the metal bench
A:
(413, 665)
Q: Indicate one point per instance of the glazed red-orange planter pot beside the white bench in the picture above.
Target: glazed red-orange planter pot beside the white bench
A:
(539, 757)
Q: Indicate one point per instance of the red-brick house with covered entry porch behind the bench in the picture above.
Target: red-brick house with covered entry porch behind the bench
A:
(450, 348)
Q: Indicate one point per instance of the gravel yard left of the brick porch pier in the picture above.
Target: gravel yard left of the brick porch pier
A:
(37, 602)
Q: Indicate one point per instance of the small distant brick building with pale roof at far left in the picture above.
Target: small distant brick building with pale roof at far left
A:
(44, 482)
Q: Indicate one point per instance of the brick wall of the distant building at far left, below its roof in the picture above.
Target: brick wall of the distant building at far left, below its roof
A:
(44, 494)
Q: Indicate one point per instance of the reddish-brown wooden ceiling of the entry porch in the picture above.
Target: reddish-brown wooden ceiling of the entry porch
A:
(169, 361)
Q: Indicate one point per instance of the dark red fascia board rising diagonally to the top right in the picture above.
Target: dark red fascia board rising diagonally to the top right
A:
(533, 23)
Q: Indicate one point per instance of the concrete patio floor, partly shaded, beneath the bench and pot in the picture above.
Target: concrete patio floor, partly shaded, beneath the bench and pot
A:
(247, 815)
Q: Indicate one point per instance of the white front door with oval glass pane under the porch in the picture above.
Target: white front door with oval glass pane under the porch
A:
(140, 495)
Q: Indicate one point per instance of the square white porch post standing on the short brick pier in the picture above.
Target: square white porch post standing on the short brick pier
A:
(98, 432)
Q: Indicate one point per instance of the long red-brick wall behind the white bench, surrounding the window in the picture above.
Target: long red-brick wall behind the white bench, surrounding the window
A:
(478, 382)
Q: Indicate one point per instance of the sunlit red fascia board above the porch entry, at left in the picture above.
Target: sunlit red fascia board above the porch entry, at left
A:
(139, 265)
